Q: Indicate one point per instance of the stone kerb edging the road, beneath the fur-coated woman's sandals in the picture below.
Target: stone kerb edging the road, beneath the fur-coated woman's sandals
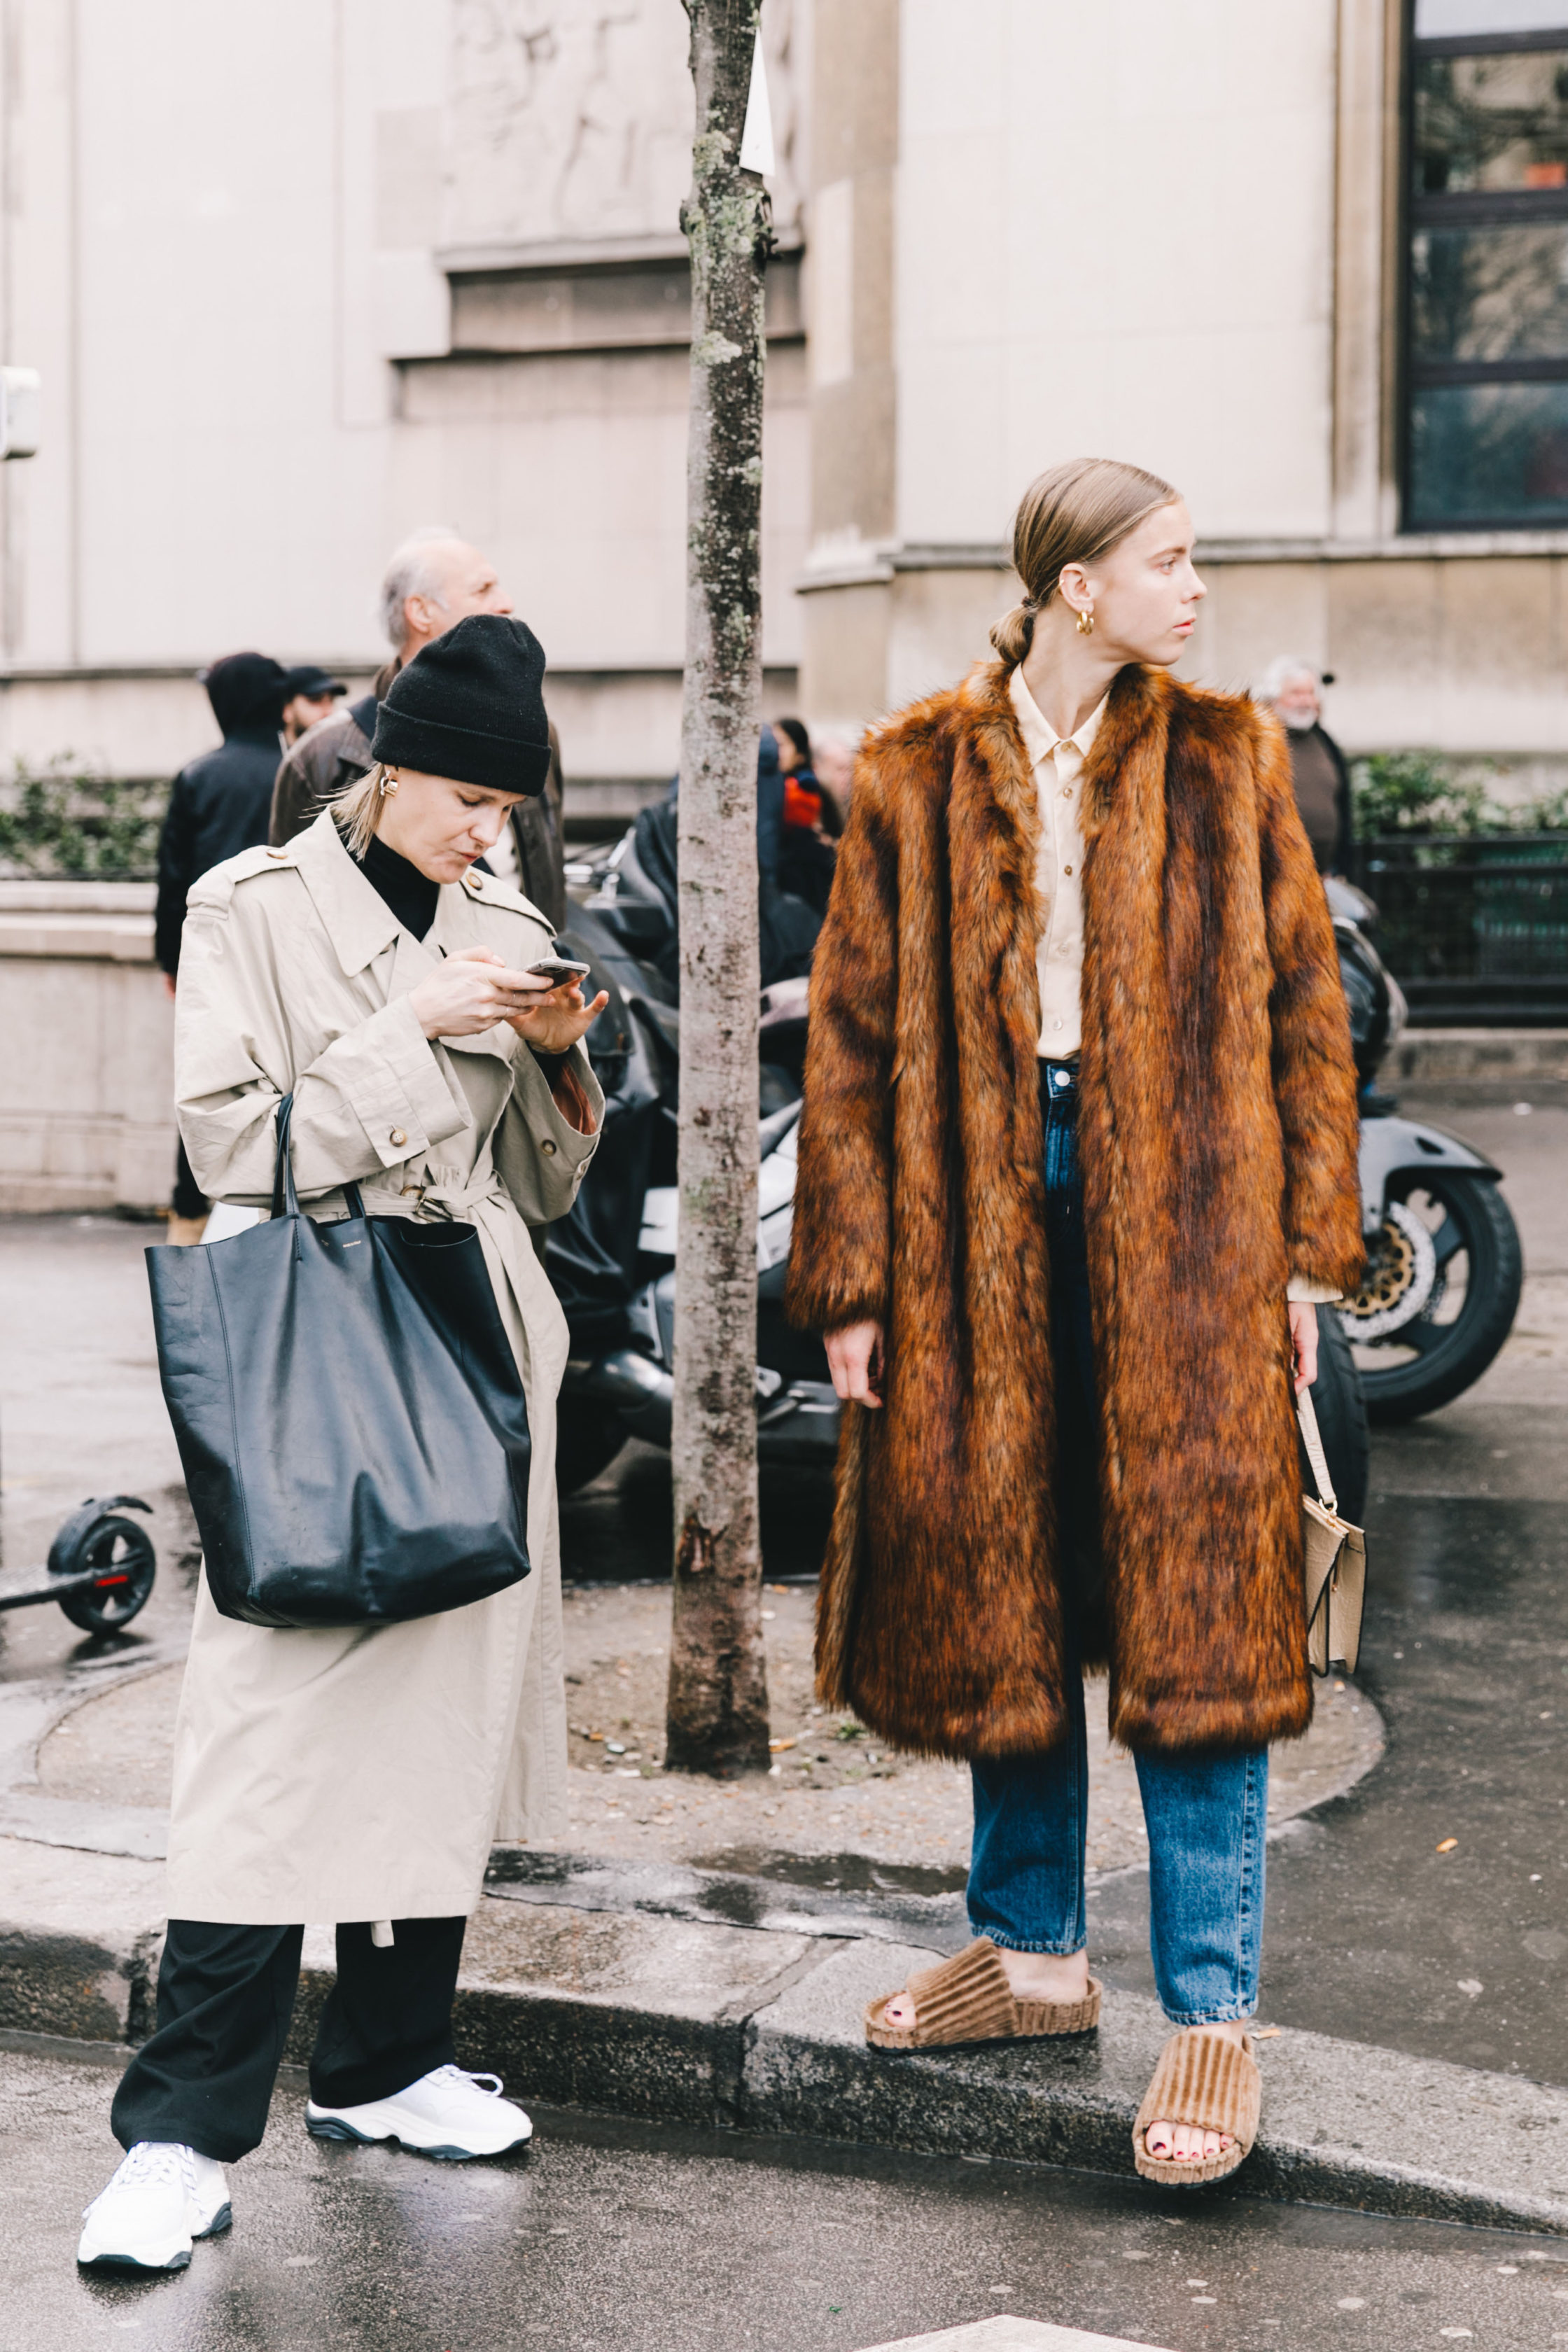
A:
(760, 2029)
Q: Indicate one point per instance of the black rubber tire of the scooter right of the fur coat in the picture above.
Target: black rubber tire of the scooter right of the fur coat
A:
(1449, 1358)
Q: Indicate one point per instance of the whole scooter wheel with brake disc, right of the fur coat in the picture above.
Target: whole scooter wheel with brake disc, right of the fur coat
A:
(1440, 1295)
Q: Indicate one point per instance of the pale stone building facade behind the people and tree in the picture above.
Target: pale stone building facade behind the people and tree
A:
(307, 276)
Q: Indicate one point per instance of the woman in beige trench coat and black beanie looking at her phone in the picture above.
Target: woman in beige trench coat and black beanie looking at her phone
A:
(361, 1775)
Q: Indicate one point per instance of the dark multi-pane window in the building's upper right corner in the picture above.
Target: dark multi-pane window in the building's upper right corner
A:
(1487, 290)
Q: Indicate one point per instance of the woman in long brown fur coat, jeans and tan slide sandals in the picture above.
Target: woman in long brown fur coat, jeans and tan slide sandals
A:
(1078, 1158)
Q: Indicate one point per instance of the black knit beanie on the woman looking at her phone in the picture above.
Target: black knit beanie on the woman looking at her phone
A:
(471, 707)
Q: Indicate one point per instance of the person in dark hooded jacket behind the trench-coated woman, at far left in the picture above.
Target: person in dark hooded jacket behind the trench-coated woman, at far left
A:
(217, 808)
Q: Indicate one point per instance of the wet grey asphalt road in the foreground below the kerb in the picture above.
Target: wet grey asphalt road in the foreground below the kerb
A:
(615, 2238)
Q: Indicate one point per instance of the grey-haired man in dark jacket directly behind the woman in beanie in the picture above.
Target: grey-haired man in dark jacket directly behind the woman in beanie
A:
(431, 582)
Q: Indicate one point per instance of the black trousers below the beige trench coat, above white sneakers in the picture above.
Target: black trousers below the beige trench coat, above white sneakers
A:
(225, 2005)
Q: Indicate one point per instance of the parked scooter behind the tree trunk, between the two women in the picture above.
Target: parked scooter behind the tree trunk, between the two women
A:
(612, 1259)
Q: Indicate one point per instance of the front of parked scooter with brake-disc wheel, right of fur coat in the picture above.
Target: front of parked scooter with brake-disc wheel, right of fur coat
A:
(1442, 1250)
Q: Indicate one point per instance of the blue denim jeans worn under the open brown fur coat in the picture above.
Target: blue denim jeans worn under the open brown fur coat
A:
(1205, 1812)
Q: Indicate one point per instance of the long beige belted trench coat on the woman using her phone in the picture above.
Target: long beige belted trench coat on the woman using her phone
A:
(366, 1772)
